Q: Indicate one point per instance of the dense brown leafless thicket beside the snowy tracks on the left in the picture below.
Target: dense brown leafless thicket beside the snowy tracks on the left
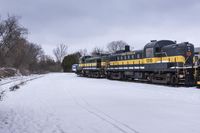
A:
(17, 52)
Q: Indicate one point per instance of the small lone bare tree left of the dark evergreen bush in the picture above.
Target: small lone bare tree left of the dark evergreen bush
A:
(60, 52)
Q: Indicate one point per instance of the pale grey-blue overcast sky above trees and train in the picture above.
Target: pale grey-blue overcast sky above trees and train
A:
(89, 23)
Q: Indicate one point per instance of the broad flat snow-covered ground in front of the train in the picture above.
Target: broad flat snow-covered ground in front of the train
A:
(65, 103)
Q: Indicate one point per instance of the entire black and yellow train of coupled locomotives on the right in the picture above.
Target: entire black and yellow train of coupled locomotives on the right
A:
(163, 62)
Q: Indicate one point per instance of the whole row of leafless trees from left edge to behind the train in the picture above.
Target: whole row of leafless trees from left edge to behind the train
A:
(28, 57)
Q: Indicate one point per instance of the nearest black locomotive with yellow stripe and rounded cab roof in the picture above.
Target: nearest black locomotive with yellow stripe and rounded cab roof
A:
(162, 61)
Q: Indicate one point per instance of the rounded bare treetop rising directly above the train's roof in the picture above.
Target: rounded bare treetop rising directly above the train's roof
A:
(116, 45)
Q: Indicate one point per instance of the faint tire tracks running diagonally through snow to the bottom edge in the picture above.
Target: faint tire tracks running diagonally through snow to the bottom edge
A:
(120, 126)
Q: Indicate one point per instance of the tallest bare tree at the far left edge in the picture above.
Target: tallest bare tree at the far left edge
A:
(12, 40)
